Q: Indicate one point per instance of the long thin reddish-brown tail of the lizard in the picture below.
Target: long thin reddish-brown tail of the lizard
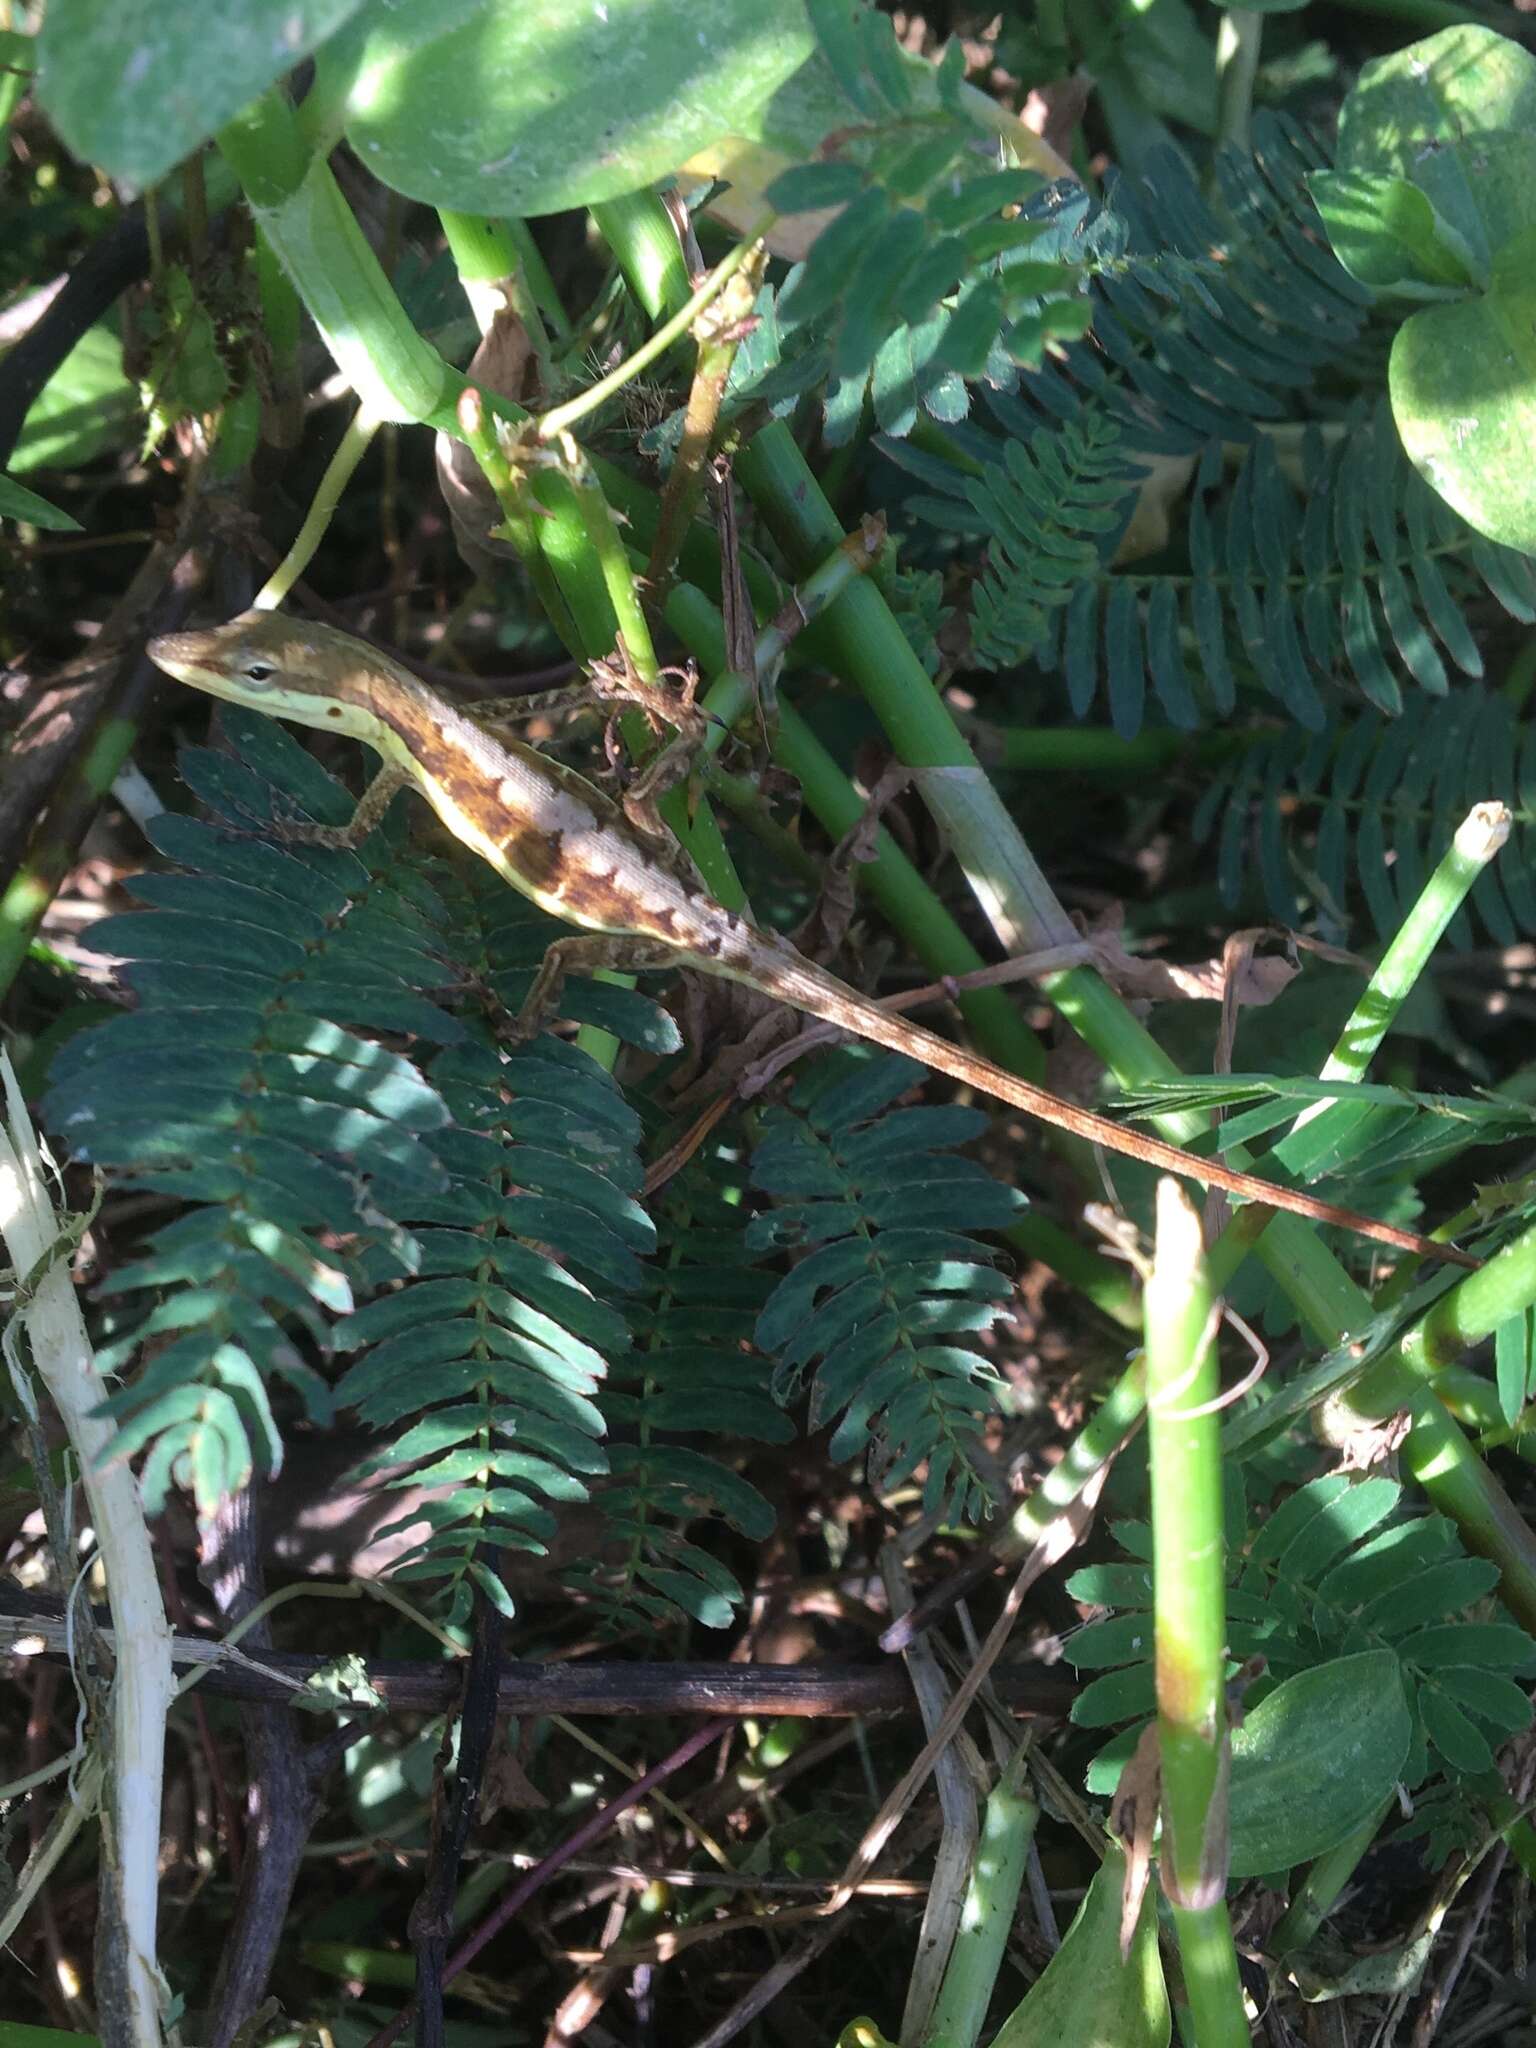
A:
(820, 994)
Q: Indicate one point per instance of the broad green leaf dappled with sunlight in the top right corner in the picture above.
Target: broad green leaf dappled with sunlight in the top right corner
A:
(1457, 118)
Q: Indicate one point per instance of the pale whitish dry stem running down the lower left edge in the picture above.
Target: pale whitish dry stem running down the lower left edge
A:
(142, 1687)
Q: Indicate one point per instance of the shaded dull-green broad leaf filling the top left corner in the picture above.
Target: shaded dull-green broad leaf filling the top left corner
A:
(138, 85)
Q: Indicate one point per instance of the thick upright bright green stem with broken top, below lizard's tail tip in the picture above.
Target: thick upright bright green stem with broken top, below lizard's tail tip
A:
(1191, 1613)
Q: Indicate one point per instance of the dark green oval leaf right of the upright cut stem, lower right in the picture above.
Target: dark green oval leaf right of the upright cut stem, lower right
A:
(1316, 1760)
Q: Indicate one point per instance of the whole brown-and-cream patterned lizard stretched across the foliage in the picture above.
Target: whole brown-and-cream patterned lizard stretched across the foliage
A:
(568, 847)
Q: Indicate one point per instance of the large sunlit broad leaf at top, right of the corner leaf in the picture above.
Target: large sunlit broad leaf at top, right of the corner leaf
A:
(544, 105)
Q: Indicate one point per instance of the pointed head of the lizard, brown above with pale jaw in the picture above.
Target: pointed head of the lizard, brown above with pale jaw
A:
(292, 669)
